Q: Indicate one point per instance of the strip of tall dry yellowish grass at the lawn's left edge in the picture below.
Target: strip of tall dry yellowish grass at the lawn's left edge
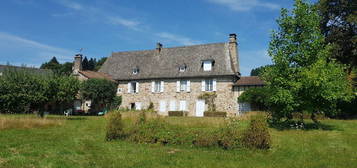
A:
(26, 122)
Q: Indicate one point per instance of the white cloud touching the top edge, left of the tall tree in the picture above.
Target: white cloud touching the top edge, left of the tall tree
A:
(245, 5)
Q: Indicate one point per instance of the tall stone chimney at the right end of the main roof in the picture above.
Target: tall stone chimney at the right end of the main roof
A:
(233, 52)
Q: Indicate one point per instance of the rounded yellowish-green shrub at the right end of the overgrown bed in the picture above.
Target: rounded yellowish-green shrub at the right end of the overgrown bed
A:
(257, 135)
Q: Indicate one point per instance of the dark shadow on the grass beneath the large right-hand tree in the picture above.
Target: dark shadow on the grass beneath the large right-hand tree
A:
(296, 125)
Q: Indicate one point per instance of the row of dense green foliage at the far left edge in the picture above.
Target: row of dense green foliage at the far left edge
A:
(22, 91)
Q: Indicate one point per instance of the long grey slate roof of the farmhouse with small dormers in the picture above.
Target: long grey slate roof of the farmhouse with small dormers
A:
(165, 64)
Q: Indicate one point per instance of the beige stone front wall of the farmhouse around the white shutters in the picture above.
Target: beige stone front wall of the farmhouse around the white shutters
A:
(226, 99)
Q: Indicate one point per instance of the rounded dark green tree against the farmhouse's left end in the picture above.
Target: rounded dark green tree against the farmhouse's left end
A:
(100, 91)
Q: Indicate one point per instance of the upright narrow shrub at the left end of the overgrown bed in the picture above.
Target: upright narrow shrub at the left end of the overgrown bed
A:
(115, 126)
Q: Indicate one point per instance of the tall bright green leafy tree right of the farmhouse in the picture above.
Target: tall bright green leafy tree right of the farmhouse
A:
(302, 80)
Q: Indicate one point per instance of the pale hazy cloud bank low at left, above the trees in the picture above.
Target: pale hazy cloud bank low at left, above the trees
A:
(20, 49)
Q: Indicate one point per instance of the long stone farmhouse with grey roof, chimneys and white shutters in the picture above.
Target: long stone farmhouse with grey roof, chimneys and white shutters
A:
(174, 78)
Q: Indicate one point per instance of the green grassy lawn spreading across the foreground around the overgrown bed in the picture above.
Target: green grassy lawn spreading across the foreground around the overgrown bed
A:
(79, 142)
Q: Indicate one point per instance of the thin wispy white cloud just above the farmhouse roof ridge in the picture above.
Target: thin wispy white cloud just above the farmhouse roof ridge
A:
(169, 37)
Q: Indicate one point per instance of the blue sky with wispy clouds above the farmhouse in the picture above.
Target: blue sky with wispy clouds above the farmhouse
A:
(33, 31)
